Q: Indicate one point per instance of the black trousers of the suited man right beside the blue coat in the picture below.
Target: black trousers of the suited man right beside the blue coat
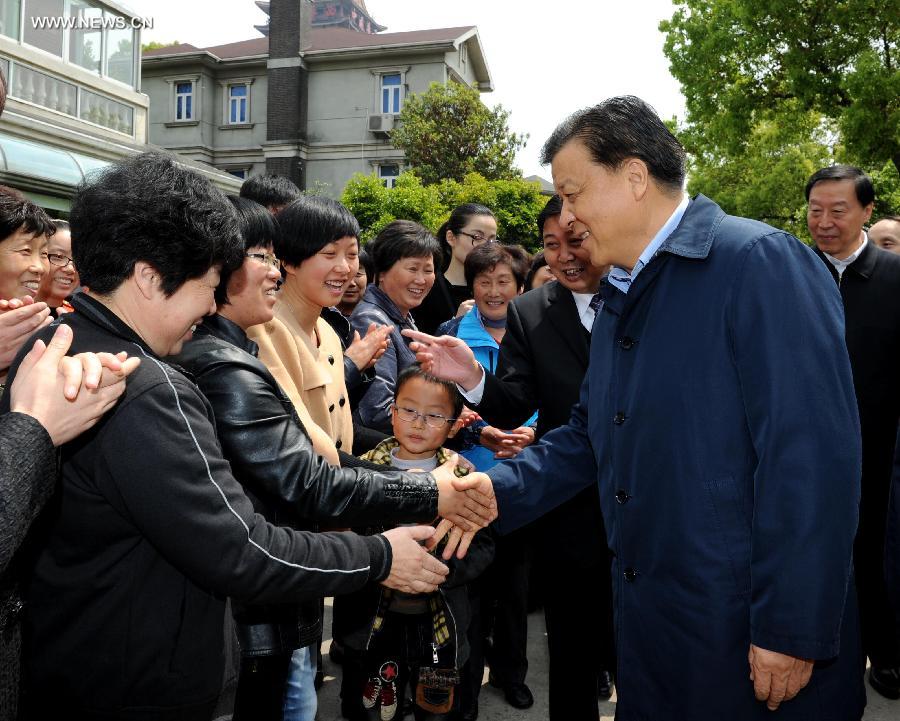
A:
(578, 612)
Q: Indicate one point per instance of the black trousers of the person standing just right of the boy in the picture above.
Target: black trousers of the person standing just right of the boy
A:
(499, 602)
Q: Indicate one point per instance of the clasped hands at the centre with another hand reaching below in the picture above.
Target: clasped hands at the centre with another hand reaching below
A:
(465, 505)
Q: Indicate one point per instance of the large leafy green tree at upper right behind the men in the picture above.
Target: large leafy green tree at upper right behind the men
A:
(775, 89)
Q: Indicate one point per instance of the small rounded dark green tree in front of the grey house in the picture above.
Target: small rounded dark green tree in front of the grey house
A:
(447, 132)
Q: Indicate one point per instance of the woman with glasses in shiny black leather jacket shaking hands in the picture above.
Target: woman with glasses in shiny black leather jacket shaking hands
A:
(273, 458)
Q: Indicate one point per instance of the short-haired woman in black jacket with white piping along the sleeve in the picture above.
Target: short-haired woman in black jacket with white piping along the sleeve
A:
(152, 531)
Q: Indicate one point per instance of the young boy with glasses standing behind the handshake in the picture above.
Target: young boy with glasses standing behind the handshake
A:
(399, 640)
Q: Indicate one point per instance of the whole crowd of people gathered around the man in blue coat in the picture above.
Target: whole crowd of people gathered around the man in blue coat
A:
(673, 429)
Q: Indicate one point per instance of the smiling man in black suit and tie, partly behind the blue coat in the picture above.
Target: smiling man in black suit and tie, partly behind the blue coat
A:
(543, 359)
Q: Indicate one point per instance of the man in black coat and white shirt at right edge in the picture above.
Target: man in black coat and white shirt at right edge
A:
(840, 199)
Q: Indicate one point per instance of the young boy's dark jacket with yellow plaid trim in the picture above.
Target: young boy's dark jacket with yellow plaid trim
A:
(361, 608)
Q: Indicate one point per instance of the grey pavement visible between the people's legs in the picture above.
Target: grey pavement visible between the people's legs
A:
(493, 707)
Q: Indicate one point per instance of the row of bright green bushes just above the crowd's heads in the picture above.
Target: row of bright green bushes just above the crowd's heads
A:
(516, 203)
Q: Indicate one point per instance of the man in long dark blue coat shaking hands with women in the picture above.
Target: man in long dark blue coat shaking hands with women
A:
(719, 419)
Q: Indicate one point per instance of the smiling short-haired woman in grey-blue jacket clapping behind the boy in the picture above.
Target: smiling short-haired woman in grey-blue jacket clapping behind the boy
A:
(405, 256)
